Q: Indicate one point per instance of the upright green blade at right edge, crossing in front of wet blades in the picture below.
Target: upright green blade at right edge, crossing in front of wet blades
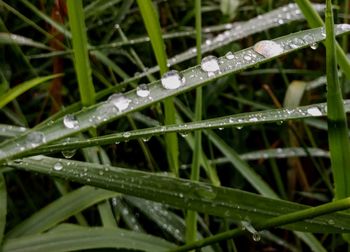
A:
(337, 125)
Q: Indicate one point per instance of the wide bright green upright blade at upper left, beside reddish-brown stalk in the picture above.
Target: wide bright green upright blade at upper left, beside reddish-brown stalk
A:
(80, 52)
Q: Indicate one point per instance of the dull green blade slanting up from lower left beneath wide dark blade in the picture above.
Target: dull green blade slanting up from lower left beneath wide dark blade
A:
(59, 210)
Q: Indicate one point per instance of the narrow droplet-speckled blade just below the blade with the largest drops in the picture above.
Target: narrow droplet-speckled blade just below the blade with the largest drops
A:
(237, 120)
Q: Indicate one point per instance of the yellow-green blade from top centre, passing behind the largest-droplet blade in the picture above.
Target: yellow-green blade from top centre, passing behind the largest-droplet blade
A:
(151, 22)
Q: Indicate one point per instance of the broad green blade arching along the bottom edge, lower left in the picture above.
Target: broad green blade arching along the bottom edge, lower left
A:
(83, 238)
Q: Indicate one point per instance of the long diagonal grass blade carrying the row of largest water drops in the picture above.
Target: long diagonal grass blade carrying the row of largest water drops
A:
(105, 112)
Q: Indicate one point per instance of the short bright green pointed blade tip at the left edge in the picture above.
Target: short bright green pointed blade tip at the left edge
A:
(21, 88)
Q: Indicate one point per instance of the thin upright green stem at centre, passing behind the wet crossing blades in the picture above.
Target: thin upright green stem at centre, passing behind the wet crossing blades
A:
(191, 218)
